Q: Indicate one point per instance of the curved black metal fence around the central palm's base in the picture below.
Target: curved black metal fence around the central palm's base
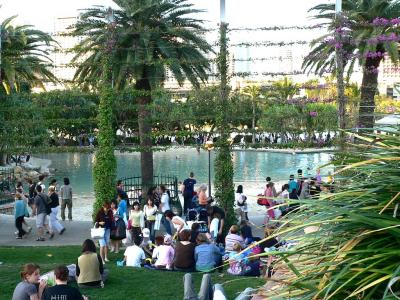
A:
(134, 189)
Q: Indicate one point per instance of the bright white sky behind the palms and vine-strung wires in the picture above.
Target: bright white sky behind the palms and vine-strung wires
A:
(239, 13)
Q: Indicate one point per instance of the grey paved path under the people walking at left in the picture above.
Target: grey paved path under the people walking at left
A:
(76, 232)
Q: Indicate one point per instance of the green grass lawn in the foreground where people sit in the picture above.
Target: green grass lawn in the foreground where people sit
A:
(123, 283)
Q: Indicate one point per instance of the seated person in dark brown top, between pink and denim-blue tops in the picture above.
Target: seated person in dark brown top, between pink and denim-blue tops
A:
(184, 253)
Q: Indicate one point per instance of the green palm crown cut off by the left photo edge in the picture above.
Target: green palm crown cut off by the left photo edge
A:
(25, 59)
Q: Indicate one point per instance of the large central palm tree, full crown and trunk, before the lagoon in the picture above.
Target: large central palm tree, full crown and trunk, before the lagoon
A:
(151, 37)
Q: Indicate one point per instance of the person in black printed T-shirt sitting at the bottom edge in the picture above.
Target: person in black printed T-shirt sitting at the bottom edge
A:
(61, 290)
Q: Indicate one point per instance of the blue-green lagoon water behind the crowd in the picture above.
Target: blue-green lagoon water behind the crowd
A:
(250, 167)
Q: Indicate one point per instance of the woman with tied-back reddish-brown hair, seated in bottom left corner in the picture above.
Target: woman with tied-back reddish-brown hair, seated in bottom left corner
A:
(26, 289)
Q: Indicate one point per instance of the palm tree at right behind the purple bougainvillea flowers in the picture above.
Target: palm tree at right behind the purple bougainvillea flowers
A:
(359, 42)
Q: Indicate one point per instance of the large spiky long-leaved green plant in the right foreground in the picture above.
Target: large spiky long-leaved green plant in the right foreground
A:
(355, 252)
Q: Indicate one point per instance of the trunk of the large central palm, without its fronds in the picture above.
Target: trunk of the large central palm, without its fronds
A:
(144, 122)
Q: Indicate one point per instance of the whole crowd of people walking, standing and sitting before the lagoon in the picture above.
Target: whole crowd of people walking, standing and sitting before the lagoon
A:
(157, 239)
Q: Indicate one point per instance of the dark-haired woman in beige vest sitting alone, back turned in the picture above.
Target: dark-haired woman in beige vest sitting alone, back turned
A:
(90, 271)
